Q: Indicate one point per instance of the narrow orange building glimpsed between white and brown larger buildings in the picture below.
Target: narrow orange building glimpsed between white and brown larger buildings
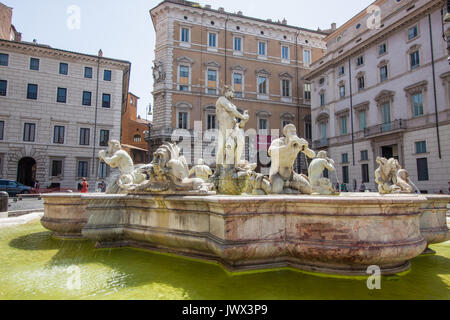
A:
(134, 131)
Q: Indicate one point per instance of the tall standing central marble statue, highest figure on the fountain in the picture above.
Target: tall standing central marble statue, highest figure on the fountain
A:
(231, 140)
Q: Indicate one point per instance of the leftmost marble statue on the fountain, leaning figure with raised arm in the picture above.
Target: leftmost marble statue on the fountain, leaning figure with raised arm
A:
(115, 157)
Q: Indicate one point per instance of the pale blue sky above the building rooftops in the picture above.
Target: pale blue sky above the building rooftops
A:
(124, 29)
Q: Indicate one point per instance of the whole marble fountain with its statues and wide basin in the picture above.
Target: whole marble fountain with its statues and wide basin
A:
(247, 221)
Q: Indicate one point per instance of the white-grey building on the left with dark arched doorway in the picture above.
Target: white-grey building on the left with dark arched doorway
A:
(58, 109)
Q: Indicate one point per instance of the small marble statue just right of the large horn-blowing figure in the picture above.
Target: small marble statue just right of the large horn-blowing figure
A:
(319, 184)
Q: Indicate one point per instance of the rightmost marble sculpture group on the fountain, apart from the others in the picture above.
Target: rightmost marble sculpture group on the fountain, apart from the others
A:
(391, 178)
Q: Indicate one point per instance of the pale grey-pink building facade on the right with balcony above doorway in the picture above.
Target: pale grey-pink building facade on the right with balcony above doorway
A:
(382, 89)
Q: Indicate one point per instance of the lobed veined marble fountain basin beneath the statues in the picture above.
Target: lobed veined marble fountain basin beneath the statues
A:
(341, 235)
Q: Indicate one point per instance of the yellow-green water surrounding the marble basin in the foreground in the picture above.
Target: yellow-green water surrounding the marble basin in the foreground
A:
(35, 266)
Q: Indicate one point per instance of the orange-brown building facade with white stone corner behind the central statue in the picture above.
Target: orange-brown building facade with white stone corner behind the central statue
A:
(200, 50)
